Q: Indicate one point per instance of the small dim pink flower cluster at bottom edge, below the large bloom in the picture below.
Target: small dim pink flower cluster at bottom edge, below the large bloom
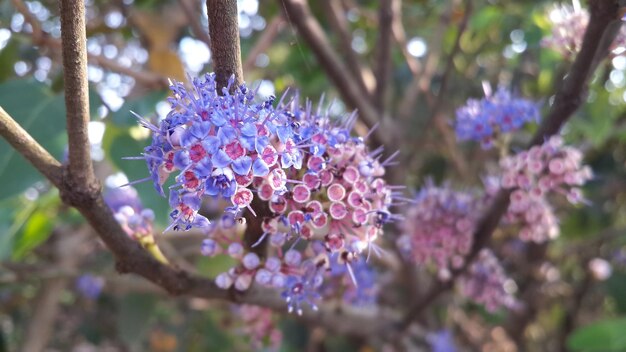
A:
(259, 326)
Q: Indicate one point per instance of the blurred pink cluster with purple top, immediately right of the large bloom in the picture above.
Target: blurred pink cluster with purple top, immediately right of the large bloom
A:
(439, 227)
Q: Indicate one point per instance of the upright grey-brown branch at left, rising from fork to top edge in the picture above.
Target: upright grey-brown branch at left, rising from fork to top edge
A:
(74, 50)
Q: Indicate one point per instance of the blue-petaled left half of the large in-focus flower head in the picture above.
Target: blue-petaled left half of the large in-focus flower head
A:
(216, 143)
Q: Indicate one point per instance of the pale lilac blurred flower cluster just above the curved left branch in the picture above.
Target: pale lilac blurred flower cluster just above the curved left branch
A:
(126, 206)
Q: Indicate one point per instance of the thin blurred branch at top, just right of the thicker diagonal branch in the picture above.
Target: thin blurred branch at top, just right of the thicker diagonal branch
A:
(337, 20)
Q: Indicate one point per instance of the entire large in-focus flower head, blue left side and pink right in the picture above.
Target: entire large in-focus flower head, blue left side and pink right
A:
(324, 189)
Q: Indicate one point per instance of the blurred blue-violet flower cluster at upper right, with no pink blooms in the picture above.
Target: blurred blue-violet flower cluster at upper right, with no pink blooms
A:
(485, 119)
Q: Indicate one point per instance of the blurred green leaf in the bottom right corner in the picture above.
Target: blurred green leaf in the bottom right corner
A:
(605, 335)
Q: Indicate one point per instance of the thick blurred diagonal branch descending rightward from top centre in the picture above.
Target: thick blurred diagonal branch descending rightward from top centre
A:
(299, 15)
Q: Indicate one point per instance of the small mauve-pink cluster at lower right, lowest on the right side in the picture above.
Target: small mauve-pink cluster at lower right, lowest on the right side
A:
(486, 283)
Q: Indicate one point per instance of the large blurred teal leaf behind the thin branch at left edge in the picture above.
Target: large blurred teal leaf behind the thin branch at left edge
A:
(40, 113)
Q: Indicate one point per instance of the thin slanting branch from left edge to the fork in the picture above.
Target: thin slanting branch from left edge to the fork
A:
(24, 144)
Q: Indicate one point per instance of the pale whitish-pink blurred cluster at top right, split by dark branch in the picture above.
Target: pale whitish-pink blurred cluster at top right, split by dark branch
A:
(568, 28)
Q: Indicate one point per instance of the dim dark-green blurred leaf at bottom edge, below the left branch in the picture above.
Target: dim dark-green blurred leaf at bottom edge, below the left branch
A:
(136, 313)
